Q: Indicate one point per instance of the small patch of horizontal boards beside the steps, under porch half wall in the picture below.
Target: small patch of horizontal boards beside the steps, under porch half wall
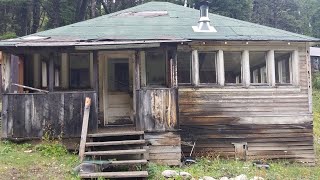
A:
(164, 148)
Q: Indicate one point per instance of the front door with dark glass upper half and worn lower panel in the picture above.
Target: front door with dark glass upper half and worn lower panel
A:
(118, 99)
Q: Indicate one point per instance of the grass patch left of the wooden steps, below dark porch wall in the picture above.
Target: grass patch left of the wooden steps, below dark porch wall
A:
(48, 160)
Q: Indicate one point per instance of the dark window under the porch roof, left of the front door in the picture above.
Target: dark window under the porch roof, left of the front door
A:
(79, 70)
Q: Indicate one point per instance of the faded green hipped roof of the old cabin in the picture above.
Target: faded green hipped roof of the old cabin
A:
(163, 20)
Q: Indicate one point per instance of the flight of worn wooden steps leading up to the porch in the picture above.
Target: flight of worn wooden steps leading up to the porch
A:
(116, 151)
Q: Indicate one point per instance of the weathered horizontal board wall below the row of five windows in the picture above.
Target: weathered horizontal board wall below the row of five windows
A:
(274, 122)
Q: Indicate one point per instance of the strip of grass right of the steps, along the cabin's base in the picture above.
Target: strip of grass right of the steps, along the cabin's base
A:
(218, 168)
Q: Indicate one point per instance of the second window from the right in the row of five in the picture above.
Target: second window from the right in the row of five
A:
(258, 67)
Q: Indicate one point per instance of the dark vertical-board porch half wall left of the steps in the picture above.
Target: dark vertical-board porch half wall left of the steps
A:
(54, 114)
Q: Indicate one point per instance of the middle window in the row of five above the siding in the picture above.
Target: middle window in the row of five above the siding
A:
(232, 67)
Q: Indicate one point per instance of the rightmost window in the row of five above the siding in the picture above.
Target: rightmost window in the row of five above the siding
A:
(283, 67)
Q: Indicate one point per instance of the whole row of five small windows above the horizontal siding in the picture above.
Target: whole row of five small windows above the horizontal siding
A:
(233, 67)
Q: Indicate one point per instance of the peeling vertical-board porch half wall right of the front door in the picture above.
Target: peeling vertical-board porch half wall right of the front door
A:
(157, 110)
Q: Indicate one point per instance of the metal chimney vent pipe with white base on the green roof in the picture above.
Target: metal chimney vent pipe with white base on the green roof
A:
(204, 22)
